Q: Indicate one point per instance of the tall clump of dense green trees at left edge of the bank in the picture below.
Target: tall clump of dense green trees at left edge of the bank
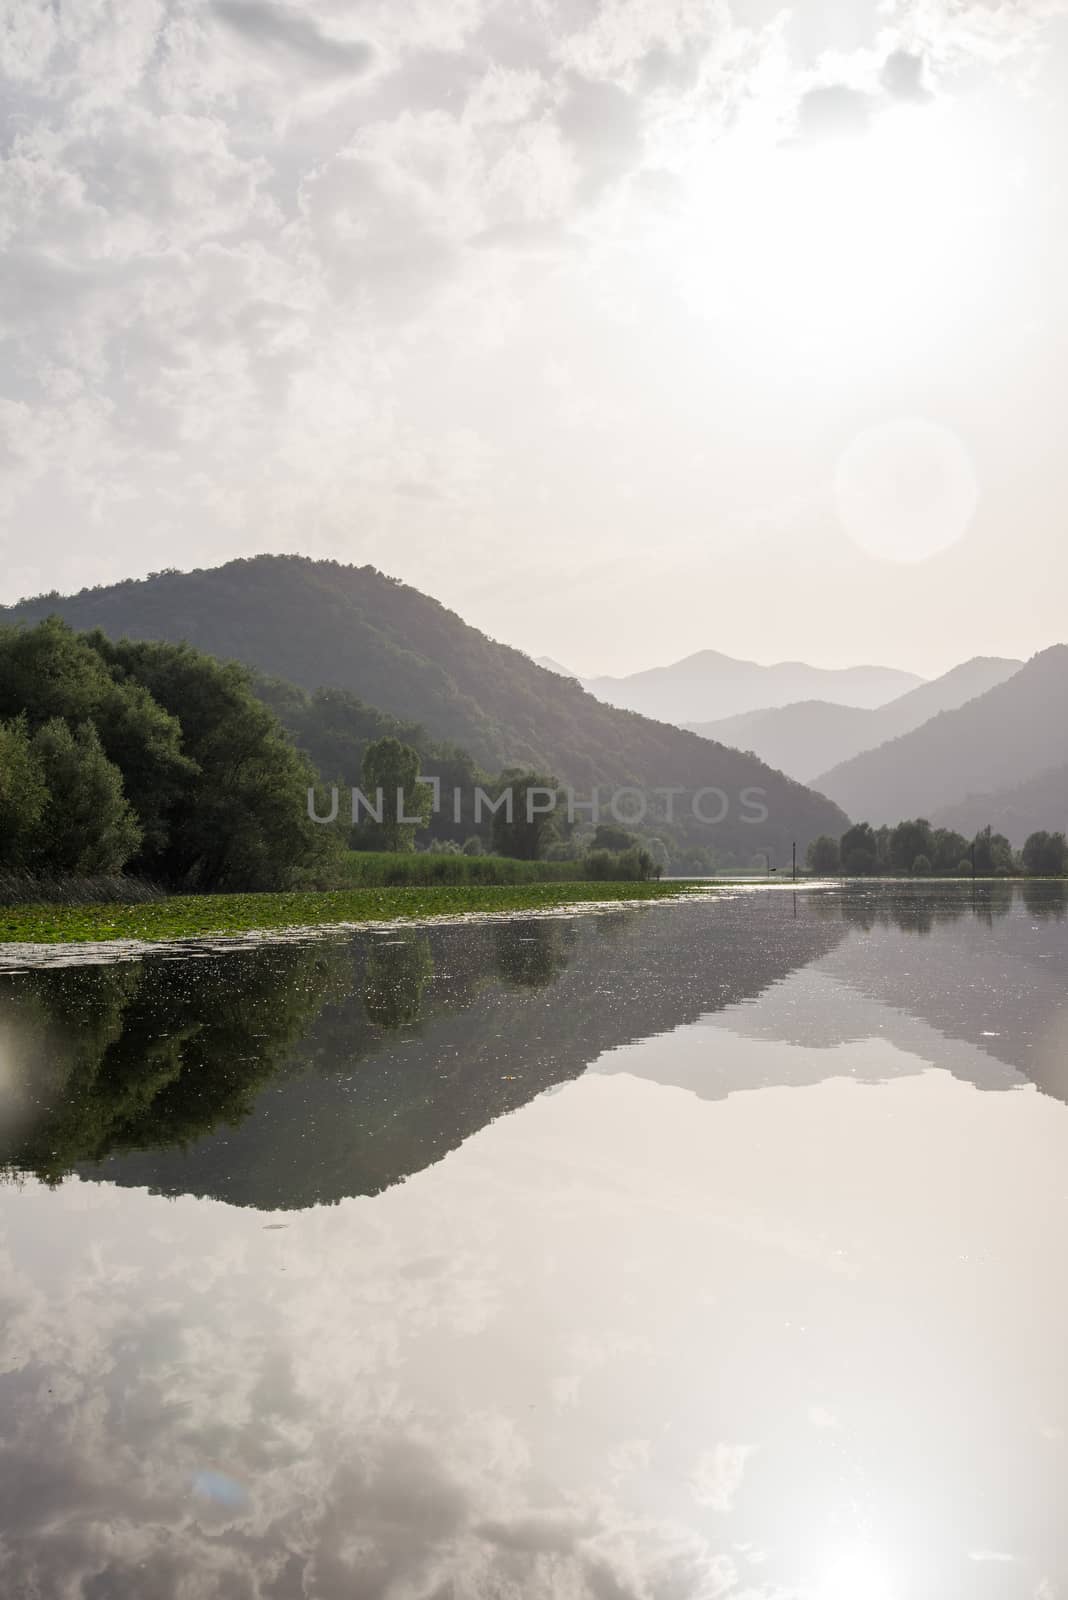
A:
(146, 759)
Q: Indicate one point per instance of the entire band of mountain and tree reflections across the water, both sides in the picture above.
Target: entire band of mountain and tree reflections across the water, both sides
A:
(300, 1074)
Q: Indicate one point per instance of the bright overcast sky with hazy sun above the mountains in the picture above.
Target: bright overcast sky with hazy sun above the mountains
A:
(624, 327)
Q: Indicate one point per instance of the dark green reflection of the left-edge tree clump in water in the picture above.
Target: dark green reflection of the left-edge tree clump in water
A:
(153, 1054)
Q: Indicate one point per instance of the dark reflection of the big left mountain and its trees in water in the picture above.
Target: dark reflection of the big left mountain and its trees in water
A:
(293, 1076)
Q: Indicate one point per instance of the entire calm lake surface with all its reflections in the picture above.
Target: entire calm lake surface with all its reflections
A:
(712, 1250)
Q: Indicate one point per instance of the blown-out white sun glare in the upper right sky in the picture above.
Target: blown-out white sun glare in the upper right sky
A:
(843, 247)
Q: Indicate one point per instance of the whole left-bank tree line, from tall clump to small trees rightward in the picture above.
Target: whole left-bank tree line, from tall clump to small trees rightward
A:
(161, 762)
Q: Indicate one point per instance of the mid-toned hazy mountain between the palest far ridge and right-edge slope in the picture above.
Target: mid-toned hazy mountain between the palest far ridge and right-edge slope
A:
(813, 737)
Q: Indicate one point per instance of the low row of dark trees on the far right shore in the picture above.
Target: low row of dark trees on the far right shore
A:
(919, 849)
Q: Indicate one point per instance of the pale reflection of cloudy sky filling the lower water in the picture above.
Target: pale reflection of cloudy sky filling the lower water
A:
(380, 1377)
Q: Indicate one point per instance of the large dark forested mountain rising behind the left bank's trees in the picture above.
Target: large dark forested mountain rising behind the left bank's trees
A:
(324, 625)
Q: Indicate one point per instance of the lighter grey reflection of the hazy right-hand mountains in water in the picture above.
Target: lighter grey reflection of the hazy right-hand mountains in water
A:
(973, 982)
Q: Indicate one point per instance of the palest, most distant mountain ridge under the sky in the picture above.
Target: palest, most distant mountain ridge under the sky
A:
(711, 686)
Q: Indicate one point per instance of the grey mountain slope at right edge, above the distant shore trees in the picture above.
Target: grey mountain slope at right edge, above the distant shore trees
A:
(1006, 737)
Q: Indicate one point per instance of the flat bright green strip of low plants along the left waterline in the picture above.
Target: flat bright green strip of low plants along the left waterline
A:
(193, 916)
